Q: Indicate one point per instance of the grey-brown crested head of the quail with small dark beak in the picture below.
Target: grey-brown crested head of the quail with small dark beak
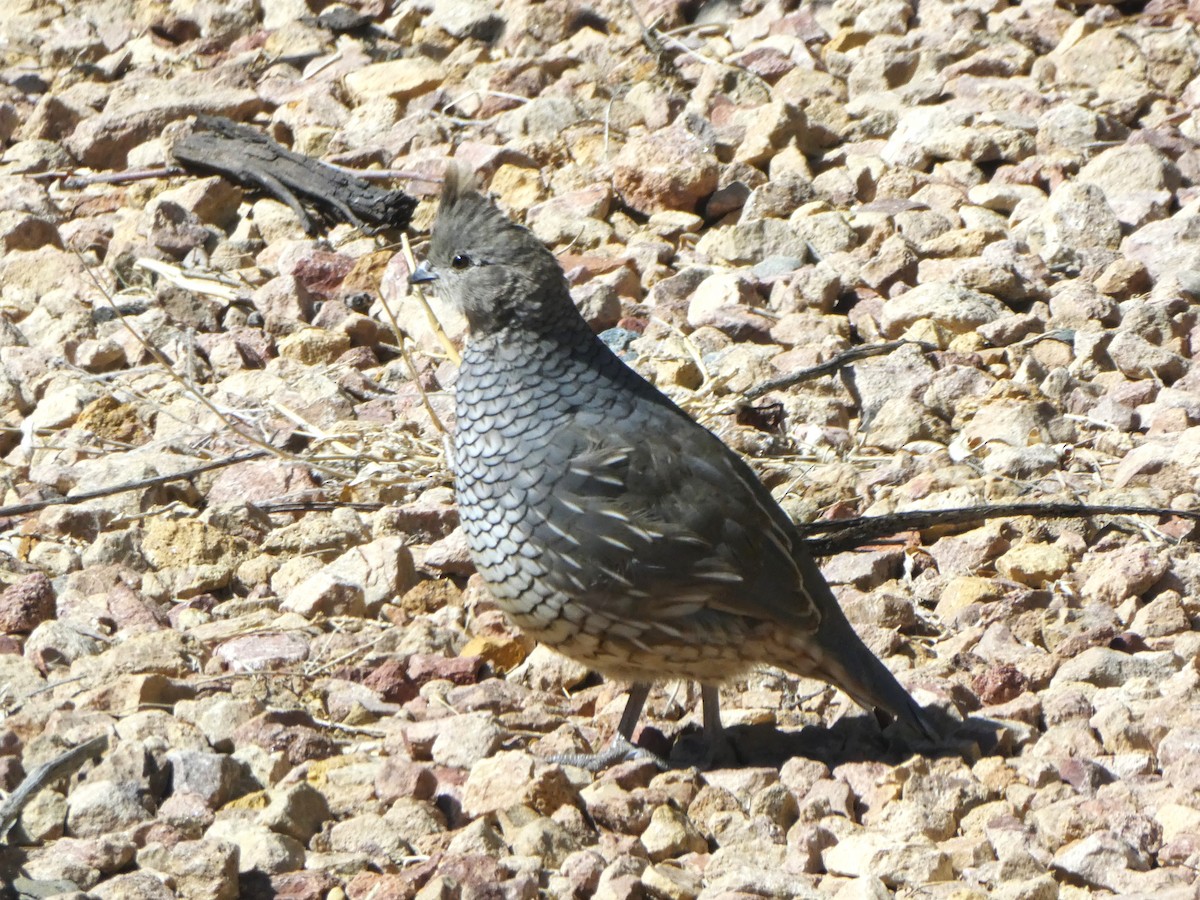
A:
(495, 272)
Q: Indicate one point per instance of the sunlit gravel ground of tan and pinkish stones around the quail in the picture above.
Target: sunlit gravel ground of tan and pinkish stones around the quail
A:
(304, 692)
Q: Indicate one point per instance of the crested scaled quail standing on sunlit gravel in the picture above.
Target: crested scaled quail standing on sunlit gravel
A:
(607, 524)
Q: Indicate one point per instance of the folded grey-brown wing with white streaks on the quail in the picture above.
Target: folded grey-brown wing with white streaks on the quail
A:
(653, 518)
